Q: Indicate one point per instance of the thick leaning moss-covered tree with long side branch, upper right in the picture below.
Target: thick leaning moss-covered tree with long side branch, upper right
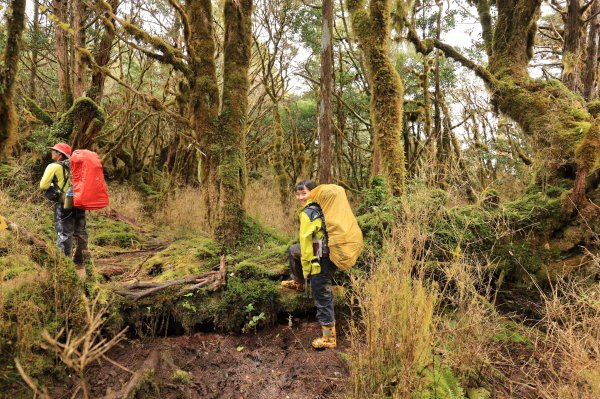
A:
(563, 133)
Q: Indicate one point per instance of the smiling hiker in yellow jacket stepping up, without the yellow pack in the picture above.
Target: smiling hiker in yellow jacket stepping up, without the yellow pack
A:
(309, 262)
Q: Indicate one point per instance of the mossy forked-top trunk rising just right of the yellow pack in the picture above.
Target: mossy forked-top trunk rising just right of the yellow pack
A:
(372, 26)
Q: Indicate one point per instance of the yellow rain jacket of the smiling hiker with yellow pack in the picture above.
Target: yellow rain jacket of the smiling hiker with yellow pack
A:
(311, 231)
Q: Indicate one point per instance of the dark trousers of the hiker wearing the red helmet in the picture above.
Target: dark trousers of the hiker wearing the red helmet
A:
(70, 223)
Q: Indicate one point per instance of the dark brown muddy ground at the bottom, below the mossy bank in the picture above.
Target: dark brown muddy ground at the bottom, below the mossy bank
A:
(274, 363)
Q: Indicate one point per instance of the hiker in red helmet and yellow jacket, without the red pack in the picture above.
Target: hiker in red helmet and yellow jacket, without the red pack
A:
(69, 223)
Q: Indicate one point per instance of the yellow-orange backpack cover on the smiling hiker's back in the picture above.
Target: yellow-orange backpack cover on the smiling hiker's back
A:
(344, 236)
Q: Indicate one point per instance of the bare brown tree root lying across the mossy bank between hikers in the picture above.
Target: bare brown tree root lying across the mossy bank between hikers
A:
(214, 280)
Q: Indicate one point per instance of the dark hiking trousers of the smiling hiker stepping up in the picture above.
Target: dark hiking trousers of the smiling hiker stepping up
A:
(320, 284)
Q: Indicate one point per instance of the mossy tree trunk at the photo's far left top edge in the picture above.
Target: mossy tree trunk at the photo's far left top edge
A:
(8, 75)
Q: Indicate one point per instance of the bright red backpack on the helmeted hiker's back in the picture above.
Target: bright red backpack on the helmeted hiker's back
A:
(87, 179)
